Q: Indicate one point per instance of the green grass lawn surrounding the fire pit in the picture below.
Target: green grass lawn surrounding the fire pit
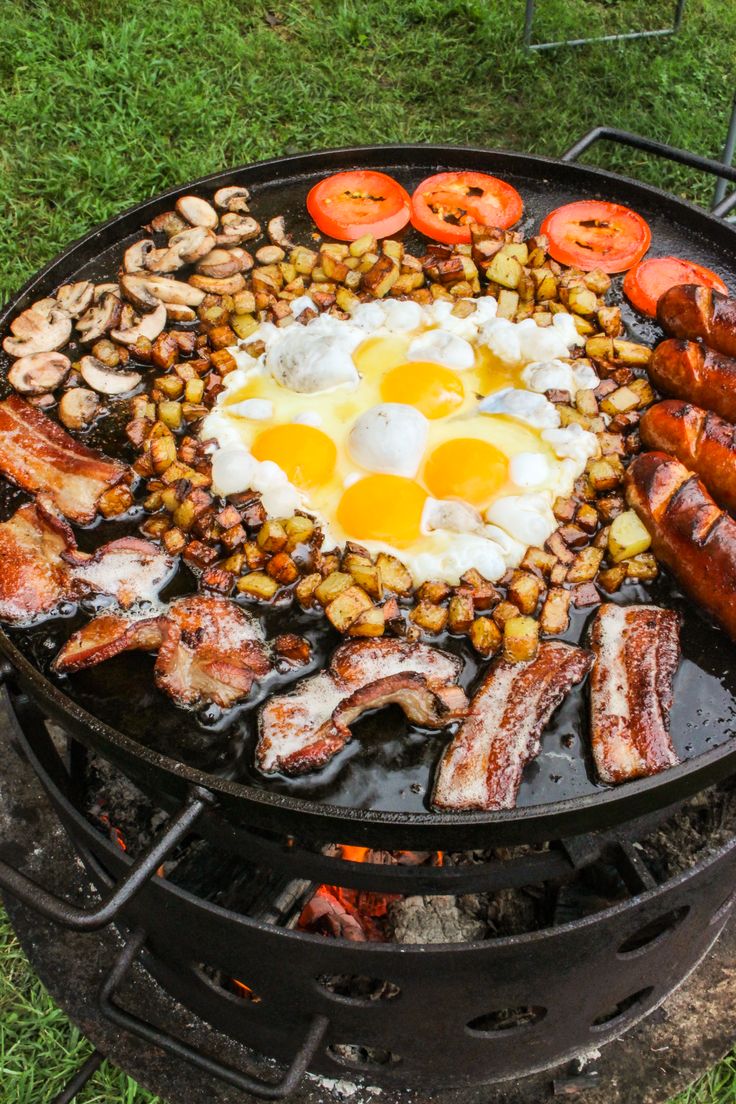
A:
(108, 102)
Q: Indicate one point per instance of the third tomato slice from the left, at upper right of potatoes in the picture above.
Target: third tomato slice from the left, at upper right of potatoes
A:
(596, 235)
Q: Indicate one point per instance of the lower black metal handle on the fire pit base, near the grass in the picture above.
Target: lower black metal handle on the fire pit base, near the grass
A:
(265, 1090)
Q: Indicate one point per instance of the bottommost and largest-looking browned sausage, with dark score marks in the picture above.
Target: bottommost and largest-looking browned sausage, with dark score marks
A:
(690, 534)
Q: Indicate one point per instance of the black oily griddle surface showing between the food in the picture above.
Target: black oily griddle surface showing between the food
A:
(389, 766)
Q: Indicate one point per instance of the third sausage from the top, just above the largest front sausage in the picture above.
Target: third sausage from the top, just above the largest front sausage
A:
(701, 440)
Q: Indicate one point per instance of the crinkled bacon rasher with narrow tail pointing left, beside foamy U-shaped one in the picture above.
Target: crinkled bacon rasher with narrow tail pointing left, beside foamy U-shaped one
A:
(209, 650)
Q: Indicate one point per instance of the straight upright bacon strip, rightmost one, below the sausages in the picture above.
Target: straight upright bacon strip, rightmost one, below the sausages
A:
(637, 651)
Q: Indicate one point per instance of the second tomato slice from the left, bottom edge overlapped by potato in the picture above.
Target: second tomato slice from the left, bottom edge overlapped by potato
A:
(443, 207)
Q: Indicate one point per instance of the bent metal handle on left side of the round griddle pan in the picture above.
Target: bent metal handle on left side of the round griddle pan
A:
(90, 920)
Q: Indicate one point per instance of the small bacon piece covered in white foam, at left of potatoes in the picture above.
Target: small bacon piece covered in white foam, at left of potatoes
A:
(130, 570)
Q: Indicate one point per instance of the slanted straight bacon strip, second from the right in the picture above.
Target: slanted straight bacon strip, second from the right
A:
(483, 768)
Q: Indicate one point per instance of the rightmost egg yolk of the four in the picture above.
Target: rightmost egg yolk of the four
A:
(467, 469)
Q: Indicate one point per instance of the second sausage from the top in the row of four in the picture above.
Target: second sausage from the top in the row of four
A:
(688, 370)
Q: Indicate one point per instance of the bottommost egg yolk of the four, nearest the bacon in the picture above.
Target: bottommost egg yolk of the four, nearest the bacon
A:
(383, 508)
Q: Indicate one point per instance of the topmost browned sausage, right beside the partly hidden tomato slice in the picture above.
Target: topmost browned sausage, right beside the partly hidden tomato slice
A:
(688, 311)
